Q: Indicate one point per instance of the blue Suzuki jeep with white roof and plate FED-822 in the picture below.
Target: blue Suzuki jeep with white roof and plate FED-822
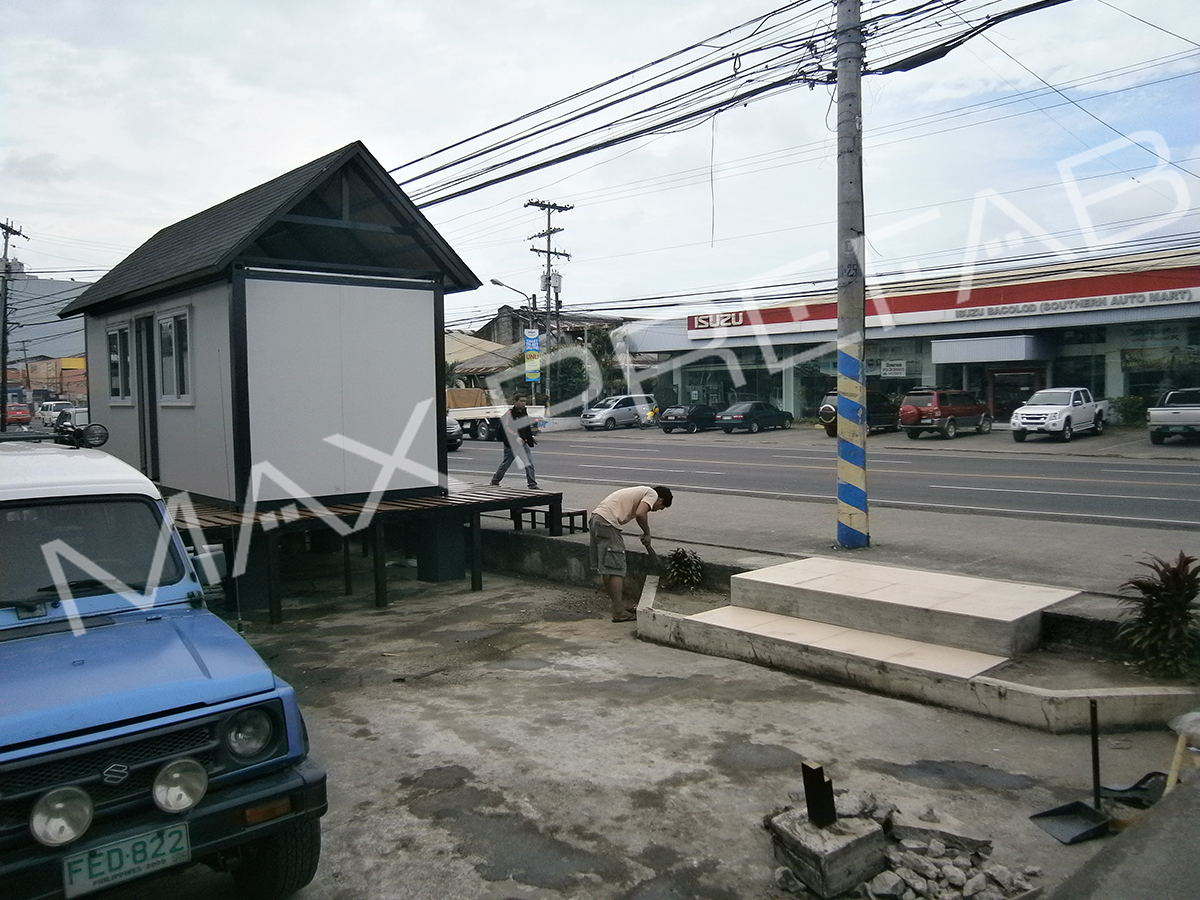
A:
(139, 733)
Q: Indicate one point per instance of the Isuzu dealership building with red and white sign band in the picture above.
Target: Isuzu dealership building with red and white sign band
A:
(1121, 327)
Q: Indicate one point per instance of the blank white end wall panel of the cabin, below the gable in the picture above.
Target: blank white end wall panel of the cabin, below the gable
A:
(329, 363)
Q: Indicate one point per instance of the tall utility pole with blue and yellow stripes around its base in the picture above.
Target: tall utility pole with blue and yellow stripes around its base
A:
(854, 530)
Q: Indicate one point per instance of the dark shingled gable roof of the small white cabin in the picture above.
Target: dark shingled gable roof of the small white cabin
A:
(343, 213)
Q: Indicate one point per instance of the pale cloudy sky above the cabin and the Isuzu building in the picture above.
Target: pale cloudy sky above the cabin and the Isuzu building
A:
(1071, 130)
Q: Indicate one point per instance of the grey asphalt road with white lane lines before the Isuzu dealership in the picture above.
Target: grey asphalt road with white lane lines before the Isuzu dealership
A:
(976, 473)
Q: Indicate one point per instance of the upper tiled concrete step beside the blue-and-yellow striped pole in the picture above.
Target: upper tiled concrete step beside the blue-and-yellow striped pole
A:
(956, 611)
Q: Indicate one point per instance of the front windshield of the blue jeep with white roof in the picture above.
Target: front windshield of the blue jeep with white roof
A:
(83, 548)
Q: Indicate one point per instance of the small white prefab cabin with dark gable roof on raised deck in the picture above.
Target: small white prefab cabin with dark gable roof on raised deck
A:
(283, 346)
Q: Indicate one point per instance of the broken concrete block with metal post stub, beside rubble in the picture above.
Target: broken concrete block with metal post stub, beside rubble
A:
(830, 861)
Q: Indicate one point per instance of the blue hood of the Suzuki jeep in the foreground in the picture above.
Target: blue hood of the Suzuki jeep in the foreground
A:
(141, 665)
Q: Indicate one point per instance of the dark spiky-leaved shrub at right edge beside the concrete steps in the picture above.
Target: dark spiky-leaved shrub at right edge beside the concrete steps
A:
(1161, 625)
